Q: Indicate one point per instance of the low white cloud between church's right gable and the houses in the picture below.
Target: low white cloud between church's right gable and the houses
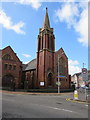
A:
(73, 67)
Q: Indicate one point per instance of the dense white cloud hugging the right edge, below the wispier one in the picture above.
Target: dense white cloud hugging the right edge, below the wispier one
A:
(82, 28)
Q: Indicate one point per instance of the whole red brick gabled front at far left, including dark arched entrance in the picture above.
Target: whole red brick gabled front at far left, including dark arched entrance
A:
(11, 68)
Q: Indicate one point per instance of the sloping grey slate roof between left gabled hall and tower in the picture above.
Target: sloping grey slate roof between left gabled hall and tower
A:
(30, 66)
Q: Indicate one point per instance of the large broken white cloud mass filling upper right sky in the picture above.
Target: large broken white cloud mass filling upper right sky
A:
(75, 15)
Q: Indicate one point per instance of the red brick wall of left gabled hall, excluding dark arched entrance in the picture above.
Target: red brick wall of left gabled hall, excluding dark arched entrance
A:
(13, 66)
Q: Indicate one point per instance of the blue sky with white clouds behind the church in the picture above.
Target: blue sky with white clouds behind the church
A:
(20, 21)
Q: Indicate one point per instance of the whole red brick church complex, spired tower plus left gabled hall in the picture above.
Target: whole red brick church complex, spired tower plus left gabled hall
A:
(41, 72)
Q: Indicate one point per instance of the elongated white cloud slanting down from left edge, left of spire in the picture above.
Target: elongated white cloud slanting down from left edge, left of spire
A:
(7, 23)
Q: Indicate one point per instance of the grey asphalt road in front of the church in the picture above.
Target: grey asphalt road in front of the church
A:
(39, 106)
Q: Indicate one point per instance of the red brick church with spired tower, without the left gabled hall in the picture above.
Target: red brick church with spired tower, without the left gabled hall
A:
(43, 71)
